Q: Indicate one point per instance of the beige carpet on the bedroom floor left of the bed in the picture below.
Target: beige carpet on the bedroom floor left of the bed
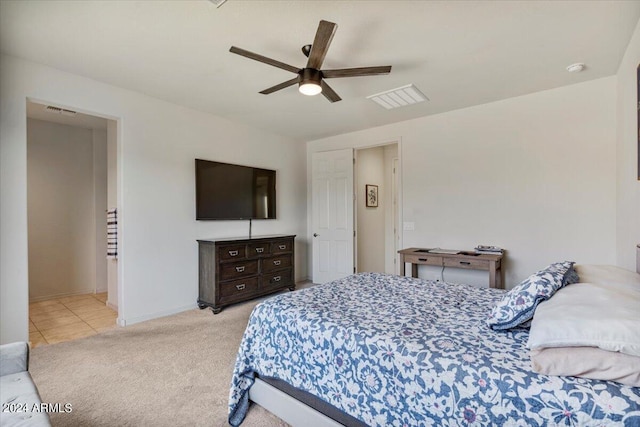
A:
(173, 371)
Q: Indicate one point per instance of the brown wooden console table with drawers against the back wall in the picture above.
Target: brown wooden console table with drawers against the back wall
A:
(462, 259)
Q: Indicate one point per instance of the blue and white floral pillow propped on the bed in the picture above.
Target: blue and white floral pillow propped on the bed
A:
(518, 305)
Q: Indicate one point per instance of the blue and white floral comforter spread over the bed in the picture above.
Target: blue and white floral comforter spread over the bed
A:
(398, 351)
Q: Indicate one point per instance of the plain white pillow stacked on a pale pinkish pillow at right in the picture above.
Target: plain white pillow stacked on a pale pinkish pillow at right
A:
(604, 315)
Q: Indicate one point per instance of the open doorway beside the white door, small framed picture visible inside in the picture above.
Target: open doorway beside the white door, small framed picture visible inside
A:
(376, 171)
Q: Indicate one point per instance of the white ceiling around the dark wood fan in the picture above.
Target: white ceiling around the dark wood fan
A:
(459, 53)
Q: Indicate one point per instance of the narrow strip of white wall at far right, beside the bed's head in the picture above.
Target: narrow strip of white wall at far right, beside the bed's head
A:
(628, 185)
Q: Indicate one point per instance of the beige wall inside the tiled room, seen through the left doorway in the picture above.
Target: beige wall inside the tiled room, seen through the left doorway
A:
(61, 162)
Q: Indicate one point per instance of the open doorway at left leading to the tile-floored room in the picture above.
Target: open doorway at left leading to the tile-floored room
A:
(71, 184)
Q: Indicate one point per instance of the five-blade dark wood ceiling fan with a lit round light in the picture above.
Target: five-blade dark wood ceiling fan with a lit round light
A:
(311, 78)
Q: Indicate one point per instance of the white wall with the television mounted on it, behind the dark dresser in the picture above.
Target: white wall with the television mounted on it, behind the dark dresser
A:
(157, 144)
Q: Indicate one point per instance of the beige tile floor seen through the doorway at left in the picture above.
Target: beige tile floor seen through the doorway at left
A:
(69, 318)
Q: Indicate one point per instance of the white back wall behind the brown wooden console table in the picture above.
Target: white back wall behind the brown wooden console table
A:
(534, 174)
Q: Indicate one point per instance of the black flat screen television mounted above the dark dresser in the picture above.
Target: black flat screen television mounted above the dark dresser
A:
(225, 191)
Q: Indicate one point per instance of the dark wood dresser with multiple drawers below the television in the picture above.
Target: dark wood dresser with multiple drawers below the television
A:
(239, 269)
